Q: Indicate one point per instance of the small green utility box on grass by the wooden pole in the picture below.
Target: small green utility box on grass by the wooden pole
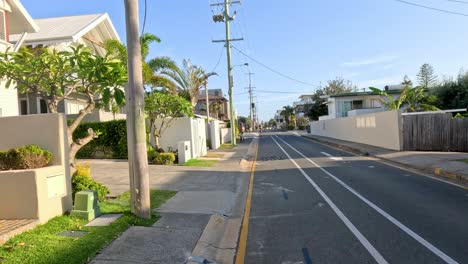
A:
(86, 206)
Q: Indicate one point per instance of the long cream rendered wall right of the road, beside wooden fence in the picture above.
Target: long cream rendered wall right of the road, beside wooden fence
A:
(377, 129)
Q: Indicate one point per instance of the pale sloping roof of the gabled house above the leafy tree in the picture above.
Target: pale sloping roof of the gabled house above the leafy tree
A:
(68, 28)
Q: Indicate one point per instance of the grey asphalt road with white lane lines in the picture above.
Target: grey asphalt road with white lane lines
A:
(315, 204)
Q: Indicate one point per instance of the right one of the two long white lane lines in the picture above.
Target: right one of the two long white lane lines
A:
(390, 218)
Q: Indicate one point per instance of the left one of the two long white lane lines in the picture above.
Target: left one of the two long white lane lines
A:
(370, 248)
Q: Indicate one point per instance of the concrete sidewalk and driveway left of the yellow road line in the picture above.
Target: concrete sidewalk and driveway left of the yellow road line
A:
(203, 219)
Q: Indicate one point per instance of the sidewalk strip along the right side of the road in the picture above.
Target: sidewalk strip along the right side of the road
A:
(450, 165)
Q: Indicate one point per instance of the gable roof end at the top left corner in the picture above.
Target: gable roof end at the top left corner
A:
(19, 20)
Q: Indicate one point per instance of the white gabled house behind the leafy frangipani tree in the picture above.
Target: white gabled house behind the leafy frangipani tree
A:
(62, 33)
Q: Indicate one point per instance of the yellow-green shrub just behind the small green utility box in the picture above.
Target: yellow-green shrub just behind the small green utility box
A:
(81, 181)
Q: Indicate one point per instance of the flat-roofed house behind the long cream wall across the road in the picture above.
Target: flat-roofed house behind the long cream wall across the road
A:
(357, 103)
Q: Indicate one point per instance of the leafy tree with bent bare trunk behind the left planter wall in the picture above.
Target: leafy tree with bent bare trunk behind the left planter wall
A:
(56, 75)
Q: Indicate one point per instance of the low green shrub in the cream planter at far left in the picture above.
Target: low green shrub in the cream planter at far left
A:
(27, 157)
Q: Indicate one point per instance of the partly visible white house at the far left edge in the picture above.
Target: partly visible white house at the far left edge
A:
(14, 19)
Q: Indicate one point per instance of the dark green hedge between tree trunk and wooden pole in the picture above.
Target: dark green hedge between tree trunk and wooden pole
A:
(111, 143)
